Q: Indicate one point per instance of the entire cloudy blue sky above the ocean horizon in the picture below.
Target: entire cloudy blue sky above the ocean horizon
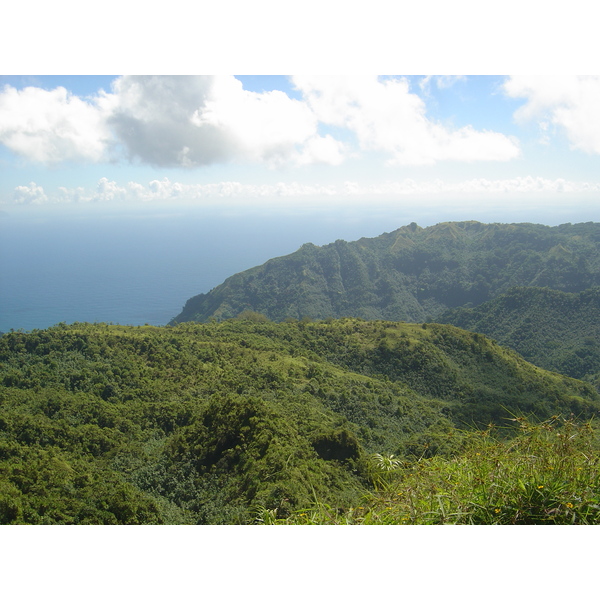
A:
(497, 147)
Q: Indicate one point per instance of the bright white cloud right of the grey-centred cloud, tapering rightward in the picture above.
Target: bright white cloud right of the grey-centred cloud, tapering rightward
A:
(386, 116)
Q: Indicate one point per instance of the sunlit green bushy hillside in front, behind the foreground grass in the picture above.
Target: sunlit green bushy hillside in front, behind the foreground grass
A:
(225, 422)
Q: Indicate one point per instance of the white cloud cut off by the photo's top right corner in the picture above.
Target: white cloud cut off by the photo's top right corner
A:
(570, 103)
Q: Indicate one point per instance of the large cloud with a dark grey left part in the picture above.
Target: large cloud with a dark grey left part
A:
(199, 120)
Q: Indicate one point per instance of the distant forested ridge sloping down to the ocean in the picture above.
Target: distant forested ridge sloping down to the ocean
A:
(411, 274)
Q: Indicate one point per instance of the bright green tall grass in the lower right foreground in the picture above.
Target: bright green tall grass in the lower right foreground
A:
(548, 473)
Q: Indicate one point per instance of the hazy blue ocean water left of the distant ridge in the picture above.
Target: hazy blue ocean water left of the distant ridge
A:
(140, 266)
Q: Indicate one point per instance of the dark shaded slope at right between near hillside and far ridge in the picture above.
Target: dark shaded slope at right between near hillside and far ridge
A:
(556, 330)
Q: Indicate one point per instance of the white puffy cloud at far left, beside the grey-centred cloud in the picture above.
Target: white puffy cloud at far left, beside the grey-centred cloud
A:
(51, 126)
